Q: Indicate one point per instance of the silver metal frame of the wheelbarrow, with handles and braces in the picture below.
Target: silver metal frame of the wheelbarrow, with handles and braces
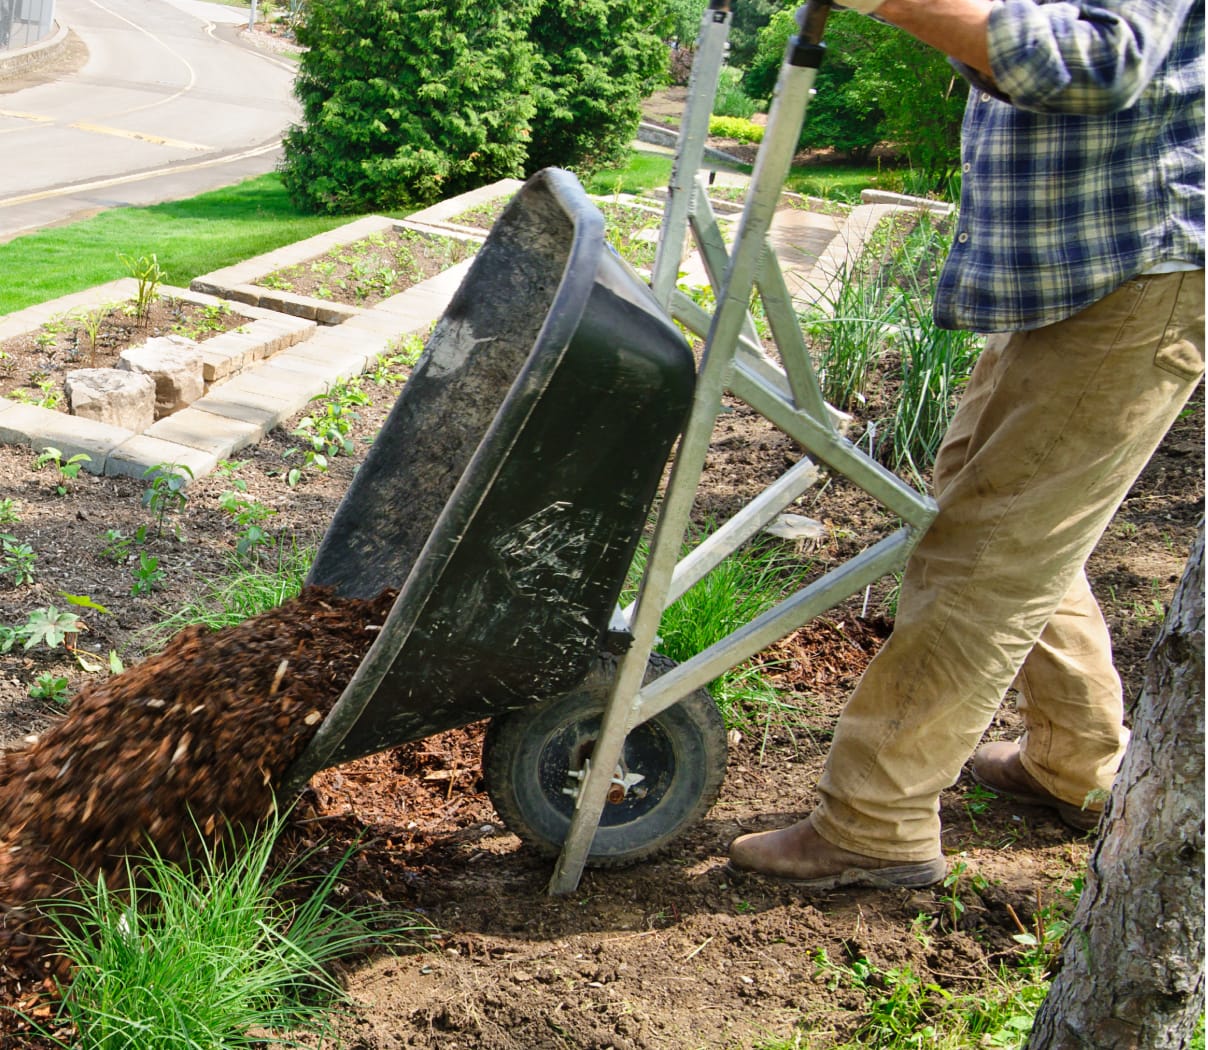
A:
(788, 397)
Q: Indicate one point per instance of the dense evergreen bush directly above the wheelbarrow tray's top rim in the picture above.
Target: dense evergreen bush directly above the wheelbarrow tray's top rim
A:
(599, 60)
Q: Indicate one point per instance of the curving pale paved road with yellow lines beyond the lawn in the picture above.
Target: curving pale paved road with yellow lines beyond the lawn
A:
(169, 105)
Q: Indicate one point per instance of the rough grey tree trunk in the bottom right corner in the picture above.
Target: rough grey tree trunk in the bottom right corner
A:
(1132, 966)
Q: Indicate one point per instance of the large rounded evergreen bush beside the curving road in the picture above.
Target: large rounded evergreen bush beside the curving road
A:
(408, 103)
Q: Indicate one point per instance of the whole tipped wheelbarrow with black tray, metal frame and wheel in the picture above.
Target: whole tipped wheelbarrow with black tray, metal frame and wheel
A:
(510, 486)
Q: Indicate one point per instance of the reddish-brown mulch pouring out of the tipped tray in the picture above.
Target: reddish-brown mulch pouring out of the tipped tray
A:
(190, 744)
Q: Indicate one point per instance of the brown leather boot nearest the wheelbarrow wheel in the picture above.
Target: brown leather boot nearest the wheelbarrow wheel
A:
(800, 856)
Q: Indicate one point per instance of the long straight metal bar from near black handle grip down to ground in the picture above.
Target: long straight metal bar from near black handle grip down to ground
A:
(793, 90)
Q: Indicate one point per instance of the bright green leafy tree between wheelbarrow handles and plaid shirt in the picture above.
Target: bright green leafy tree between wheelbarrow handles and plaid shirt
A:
(878, 84)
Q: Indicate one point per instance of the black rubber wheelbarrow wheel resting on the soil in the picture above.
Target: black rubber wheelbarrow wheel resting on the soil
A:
(672, 769)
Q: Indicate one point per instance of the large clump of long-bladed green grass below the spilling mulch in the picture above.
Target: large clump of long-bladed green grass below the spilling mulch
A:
(230, 952)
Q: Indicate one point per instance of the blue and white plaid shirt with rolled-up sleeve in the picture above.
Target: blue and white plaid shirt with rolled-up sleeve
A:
(1083, 161)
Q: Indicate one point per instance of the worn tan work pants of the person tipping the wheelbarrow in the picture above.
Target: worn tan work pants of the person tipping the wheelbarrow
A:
(1053, 431)
